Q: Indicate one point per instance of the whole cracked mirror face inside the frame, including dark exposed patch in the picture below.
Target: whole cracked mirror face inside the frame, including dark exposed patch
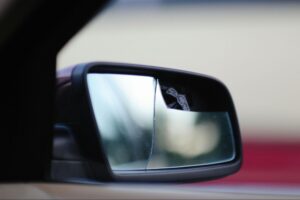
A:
(147, 123)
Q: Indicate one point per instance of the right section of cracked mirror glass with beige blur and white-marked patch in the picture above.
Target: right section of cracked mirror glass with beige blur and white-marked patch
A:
(184, 137)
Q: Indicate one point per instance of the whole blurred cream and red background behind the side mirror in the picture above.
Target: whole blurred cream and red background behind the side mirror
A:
(251, 46)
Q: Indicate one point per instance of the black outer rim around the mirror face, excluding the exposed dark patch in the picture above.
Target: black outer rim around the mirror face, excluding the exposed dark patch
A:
(98, 160)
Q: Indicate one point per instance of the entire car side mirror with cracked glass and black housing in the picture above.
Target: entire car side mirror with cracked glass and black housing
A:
(150, 124)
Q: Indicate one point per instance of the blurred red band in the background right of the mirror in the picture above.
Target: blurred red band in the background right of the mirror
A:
(267, 163)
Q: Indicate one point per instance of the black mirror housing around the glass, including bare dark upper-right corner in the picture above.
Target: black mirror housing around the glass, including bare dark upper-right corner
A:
(215, 96)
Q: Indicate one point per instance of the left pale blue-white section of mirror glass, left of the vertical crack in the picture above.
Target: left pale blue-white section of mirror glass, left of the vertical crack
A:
(123, 108)
